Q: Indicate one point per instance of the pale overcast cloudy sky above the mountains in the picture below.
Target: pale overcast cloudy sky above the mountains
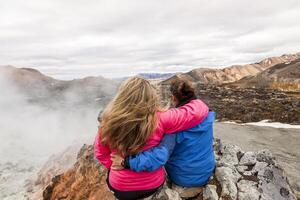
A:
(74, 38)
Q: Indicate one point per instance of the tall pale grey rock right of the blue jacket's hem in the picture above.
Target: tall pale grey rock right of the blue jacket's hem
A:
(228, 178)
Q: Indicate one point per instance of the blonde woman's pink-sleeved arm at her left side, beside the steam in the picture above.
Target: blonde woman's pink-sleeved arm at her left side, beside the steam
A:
(102, 152)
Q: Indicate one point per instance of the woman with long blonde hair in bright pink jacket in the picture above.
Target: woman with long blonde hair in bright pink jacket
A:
(133, 122)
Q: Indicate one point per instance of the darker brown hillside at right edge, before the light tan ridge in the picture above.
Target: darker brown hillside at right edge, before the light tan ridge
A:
(283, 76)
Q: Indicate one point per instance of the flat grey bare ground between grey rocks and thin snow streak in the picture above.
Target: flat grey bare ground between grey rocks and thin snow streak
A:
(283, 143)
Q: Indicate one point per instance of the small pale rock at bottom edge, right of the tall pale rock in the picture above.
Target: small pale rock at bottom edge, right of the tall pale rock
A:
(247, 190)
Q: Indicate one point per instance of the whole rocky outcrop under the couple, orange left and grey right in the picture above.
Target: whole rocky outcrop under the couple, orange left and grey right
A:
(238, 176)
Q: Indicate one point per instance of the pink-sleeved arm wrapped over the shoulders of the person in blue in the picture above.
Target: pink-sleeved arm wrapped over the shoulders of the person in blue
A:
(184, 117)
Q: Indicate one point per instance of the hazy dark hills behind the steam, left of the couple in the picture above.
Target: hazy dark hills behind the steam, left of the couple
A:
(39, 88)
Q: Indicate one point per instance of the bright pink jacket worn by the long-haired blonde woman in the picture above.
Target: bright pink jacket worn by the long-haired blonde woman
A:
(171, 121)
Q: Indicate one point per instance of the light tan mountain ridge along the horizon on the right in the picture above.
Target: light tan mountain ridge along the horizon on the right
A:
(232, 73)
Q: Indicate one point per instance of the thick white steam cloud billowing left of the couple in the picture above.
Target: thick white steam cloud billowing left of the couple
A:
(31, 132)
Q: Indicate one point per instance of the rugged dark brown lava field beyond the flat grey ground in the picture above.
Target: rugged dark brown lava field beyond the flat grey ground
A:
(247, 105)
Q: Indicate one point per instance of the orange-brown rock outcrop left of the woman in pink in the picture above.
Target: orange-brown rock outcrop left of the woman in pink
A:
(85, 180)
